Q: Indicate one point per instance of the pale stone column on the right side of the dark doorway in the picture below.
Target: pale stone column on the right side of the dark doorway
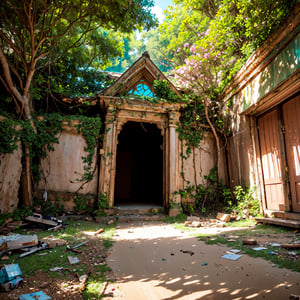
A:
(173, 162)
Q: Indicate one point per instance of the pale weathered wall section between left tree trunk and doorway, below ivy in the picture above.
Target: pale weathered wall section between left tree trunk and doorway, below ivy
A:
(61, 169)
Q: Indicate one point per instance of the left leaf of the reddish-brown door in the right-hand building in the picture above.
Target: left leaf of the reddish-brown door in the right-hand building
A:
(271, 159)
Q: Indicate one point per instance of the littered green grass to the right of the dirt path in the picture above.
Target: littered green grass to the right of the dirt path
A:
(281, 258)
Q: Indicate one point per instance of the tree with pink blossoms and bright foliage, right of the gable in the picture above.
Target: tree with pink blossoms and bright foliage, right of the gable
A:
(233, 30)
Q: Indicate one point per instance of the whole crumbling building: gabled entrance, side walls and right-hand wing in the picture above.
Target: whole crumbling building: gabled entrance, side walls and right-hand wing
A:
(140, 157)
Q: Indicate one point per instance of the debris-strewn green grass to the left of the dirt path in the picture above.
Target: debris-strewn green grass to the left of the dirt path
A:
(74, 233)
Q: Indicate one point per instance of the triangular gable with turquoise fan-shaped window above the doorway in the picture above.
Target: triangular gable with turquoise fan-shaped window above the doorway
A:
(138, 79)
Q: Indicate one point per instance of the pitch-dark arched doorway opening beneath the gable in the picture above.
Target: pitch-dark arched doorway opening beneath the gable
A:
(139, 169)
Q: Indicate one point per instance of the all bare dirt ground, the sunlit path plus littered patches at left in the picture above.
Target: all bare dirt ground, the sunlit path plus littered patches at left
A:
(153, 260)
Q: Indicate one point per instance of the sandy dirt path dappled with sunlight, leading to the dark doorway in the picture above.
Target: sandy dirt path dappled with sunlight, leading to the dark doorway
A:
(148, 263)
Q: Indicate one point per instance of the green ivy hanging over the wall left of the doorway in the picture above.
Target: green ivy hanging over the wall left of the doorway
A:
(48, 127)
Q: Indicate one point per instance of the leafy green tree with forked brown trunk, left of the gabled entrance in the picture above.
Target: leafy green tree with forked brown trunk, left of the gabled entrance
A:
(33, 32)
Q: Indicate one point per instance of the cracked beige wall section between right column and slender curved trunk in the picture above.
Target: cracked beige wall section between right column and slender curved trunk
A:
(199, 162)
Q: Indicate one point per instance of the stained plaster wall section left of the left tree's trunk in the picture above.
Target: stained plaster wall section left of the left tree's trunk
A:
(10, 174)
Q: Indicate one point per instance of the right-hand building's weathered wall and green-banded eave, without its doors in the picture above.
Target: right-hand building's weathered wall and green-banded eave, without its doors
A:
(262, 83)
